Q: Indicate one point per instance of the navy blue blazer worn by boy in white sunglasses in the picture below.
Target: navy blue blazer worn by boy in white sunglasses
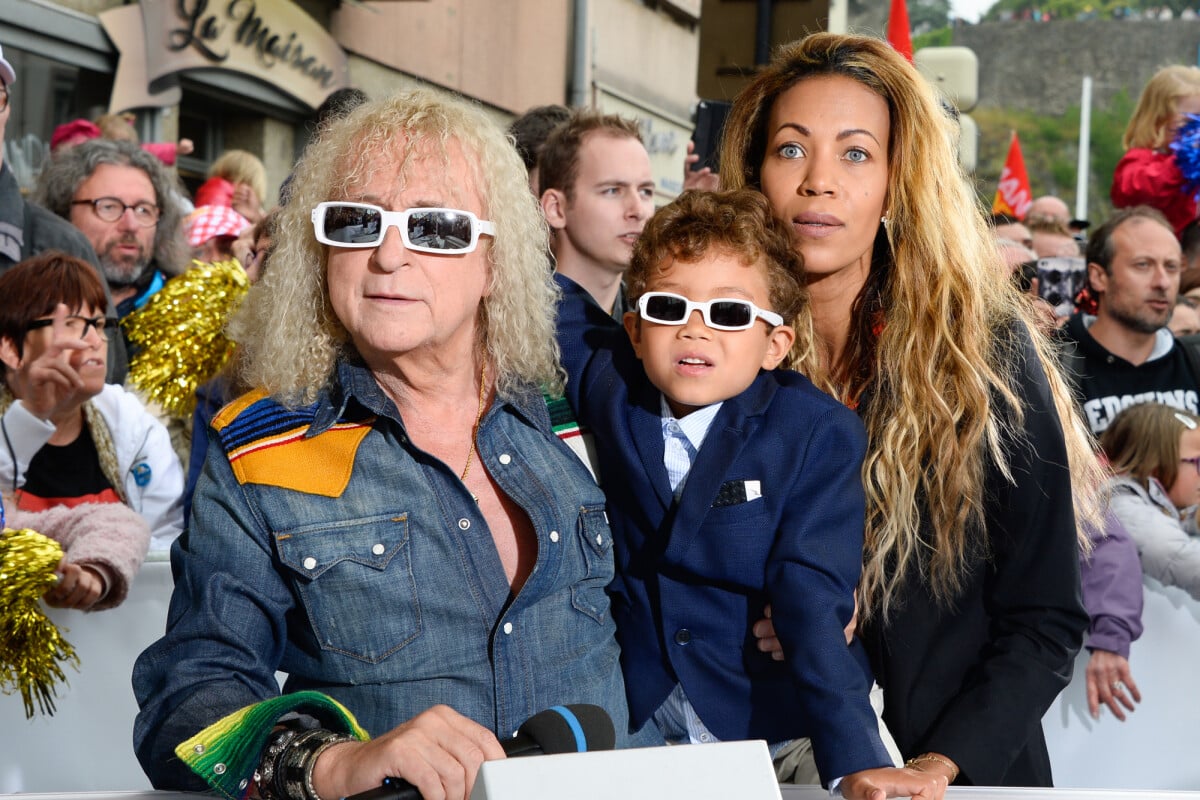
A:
(694, 576)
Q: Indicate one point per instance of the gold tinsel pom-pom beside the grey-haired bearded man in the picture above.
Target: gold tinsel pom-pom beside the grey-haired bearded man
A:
(179, 334)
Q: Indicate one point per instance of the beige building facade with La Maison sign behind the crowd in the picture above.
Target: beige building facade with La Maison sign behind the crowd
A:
(250, 74)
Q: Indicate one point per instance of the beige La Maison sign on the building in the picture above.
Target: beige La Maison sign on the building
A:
(271, 40)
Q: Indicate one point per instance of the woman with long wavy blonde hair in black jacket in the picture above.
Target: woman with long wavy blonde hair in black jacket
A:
(970, 593)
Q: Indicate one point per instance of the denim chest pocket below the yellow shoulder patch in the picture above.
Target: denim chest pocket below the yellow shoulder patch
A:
(356, 582)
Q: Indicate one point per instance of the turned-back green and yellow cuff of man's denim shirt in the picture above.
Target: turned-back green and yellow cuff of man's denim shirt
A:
(227, 753)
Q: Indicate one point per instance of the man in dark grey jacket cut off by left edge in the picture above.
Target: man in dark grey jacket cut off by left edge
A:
(28, 230)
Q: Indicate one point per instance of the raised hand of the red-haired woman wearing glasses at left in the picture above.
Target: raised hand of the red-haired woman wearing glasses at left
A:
(49, 386)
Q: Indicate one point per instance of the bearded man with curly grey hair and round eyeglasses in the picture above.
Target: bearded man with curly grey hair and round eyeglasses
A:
(125, 203)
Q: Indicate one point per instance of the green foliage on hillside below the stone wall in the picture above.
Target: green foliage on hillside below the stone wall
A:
(1051, 147)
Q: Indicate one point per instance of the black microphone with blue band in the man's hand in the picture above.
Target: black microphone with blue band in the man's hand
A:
(577, 729)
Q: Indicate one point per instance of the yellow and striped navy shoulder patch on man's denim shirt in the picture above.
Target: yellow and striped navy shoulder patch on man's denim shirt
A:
(266, 444)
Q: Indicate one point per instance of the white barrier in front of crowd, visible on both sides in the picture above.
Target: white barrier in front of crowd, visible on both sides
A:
(88, 743)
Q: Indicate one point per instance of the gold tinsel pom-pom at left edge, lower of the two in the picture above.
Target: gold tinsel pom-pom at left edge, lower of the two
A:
(33, 651)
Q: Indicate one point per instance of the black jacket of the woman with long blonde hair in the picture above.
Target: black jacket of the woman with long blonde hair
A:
(974, 681)
